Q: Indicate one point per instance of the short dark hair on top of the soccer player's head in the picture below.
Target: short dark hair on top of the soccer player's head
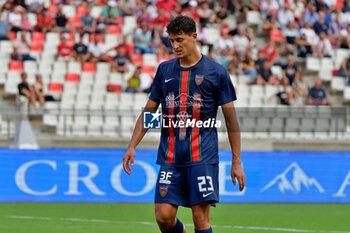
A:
(181, 24)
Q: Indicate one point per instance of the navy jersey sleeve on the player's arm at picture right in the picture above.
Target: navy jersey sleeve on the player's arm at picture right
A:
(227, 92)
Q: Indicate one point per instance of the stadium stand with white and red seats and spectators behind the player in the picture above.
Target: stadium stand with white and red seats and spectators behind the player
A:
(92, 98)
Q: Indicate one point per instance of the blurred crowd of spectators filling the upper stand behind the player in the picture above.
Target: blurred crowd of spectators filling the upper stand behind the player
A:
(297, 28)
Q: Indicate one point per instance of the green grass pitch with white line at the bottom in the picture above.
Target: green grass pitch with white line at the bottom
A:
(139, 218)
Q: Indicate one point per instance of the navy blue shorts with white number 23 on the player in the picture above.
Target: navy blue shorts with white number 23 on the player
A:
(187, 186)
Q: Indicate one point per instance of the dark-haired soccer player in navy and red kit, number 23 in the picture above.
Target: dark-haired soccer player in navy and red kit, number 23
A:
(189, 86)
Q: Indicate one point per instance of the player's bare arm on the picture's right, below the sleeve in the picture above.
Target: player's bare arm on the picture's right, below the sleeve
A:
(234, 137)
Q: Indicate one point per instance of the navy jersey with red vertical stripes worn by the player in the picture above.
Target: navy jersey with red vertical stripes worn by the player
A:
(191, 96)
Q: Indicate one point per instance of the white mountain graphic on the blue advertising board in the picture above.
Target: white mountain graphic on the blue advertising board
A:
(298, 179)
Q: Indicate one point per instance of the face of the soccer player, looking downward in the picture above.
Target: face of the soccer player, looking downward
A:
(183, 44)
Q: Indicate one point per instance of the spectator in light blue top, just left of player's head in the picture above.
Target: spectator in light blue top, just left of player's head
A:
(143, 37)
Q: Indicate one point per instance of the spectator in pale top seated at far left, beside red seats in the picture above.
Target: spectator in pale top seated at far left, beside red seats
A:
(21, 49)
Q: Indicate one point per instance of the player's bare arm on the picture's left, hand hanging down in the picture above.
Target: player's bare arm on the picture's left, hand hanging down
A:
(136, 137)
